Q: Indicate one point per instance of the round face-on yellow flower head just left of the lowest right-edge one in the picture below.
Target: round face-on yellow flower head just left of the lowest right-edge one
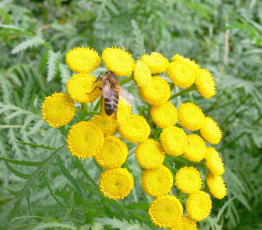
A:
(188, 180)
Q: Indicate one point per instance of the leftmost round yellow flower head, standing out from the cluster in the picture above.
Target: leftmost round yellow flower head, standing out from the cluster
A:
(58, 109)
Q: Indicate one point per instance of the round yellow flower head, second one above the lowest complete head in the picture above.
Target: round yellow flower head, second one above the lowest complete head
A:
(150, 154)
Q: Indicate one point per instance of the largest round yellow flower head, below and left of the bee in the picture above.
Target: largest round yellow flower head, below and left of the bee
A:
(85, 139)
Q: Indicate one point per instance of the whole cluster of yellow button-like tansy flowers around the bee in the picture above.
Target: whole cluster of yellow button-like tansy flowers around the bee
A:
(162, 130)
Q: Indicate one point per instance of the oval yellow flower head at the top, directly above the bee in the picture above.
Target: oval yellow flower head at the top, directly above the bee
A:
(118, 61)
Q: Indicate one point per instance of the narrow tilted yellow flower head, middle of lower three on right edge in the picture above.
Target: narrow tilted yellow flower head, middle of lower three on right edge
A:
(214, 162)
